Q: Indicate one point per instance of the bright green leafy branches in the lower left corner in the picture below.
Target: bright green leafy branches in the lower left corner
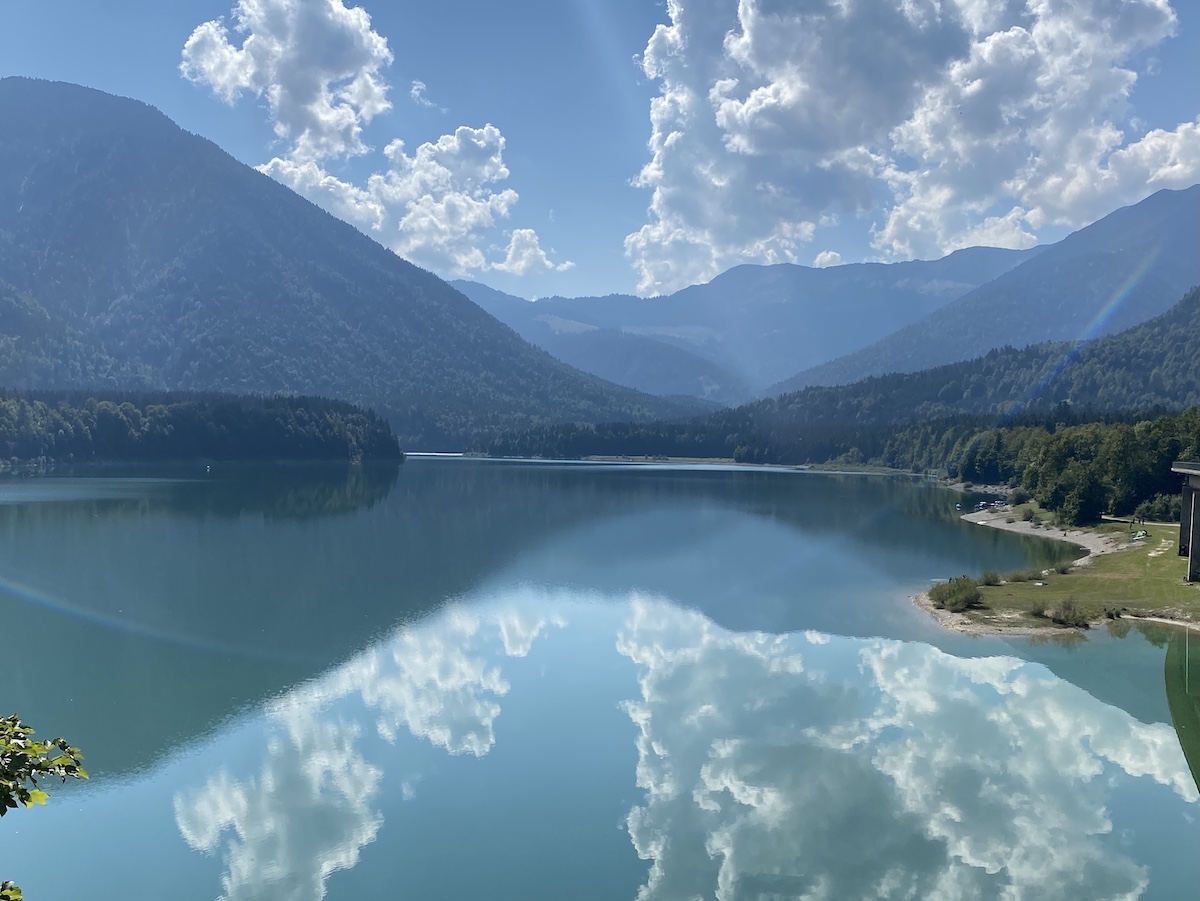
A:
(23, 762)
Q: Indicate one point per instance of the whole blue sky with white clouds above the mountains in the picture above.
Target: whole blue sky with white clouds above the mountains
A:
(592, 147)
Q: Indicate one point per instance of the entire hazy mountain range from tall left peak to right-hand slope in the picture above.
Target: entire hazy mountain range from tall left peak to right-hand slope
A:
(137, 256)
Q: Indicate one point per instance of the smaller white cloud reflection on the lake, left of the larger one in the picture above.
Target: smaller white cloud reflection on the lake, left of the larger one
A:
(310, 812)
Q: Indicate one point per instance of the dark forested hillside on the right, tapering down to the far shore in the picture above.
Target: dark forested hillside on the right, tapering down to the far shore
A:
(1153, 365)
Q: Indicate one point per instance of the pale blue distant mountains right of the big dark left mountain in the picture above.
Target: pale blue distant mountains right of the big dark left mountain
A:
(765, 331)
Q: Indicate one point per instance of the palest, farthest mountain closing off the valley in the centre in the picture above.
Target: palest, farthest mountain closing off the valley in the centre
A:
(763, 323)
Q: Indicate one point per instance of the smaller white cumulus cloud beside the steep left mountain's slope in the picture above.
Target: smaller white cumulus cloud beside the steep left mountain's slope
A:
(320, 67)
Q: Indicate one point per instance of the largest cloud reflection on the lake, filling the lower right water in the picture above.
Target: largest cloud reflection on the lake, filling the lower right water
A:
(847, 768)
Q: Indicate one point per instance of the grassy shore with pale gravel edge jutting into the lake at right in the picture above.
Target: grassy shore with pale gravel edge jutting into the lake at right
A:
(1120, 578)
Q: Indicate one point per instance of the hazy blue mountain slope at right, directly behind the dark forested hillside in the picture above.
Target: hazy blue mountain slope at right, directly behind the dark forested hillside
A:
(1119, 272)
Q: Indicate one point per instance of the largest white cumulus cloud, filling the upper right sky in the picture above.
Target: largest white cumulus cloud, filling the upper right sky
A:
(946, 124)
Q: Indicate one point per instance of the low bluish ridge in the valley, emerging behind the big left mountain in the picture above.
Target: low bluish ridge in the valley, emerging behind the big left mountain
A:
(633, 361)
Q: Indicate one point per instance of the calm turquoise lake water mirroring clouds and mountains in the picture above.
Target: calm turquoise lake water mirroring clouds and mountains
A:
(469, 680)
